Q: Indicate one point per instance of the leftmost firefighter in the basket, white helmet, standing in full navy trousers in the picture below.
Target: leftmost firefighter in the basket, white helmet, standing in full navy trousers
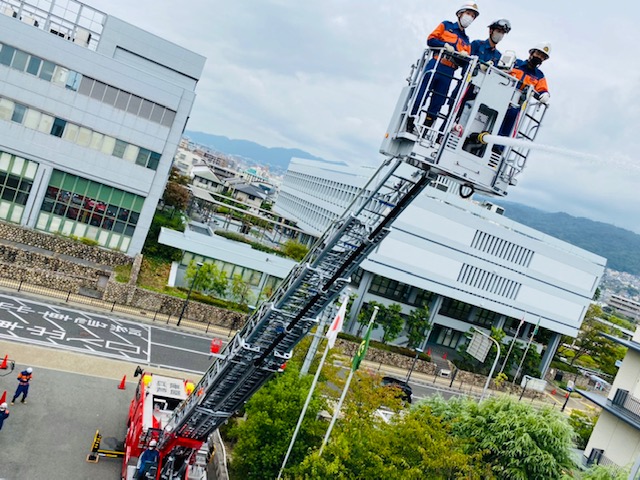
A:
(450, 37)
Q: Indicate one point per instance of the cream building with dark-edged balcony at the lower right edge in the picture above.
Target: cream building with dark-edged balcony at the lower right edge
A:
(616, 437)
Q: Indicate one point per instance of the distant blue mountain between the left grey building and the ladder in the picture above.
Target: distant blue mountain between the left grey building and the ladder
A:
(277, 158)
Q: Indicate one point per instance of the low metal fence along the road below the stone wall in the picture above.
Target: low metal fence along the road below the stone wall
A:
(79, 299)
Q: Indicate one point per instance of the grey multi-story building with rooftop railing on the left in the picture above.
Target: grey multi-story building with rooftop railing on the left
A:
(91, 112)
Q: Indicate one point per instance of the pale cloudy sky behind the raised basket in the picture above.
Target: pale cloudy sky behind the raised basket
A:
(324, 76)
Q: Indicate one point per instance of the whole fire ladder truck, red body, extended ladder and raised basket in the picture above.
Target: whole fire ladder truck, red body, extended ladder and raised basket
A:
(449, 148)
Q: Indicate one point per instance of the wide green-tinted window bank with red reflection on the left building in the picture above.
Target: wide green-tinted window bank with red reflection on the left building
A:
(76, 206)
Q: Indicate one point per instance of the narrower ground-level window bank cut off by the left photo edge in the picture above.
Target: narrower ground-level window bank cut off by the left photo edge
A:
(16, 180)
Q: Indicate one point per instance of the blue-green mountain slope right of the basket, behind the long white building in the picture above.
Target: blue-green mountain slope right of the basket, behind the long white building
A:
(620, 247)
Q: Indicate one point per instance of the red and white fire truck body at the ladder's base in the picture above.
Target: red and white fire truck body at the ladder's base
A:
(155, 400)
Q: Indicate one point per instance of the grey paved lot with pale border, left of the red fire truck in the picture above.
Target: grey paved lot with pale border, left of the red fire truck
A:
(72, 395)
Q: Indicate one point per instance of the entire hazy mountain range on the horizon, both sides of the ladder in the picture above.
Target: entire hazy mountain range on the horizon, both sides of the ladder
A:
(620, 247)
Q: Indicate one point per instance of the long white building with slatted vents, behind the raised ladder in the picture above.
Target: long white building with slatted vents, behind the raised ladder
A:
(469, 264)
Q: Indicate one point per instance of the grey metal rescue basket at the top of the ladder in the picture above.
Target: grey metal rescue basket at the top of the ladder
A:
(474, 109)
